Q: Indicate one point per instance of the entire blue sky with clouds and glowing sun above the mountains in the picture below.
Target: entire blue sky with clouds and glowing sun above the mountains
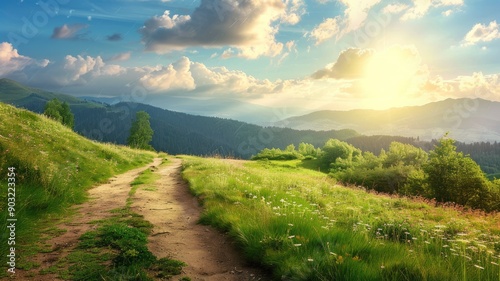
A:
(318, 54)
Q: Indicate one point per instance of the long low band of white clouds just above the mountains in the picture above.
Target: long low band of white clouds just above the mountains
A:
(357, 78)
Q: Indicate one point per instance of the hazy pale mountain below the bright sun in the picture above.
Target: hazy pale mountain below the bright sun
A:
(467, 120)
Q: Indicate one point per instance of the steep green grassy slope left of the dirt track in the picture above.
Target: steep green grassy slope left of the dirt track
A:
(53, 168)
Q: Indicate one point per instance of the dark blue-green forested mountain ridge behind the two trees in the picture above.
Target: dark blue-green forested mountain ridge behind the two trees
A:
(175, 133)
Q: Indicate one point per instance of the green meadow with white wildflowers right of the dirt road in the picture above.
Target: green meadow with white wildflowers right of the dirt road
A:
(300, 225)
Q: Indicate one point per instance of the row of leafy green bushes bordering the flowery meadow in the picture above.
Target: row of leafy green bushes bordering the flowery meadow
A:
(443, 173)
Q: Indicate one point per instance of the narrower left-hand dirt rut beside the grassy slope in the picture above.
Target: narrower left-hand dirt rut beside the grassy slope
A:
(103, 199)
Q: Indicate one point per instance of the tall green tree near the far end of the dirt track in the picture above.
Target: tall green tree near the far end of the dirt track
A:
(141, 133)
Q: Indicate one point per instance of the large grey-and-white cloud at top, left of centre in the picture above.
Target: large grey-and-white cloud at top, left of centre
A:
(249, 26)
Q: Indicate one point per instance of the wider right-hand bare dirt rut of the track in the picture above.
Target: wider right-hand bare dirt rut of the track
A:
(175, 212)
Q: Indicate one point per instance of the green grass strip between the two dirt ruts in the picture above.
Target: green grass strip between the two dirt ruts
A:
(117, 249)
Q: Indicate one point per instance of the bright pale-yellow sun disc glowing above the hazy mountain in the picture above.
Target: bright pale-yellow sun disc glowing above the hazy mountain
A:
(390, 76)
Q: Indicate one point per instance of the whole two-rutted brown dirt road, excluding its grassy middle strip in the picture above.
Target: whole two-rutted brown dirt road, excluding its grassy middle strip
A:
(168, 205)
